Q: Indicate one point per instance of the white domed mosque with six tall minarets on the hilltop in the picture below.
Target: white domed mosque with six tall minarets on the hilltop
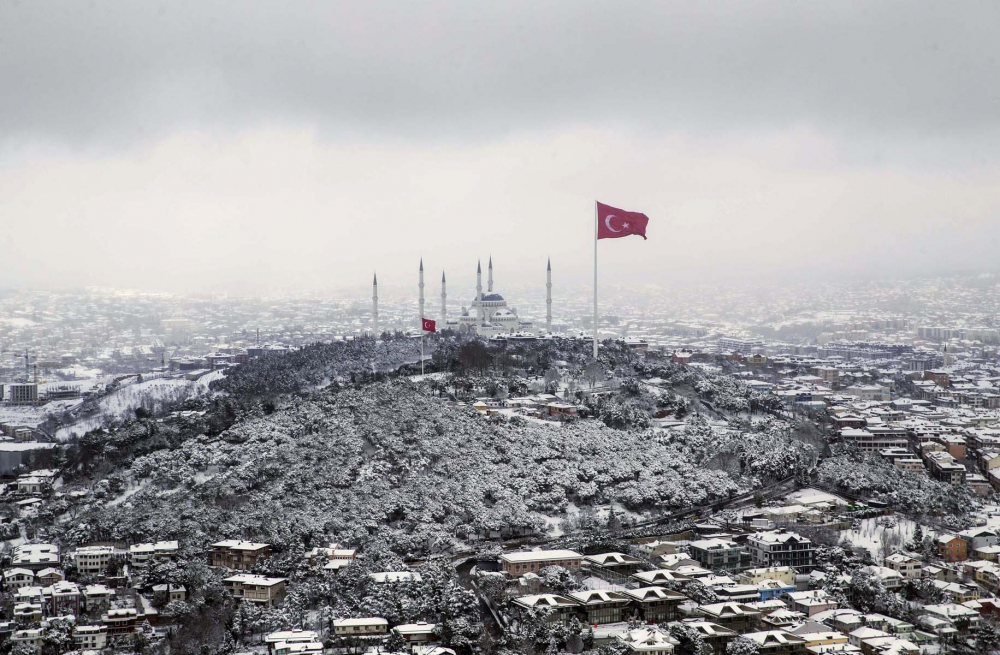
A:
(487, 315)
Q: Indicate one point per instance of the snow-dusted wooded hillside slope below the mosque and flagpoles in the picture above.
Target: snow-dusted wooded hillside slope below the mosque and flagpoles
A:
(392, 462)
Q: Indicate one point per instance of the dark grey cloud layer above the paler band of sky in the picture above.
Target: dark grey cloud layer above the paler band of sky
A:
(101, 72)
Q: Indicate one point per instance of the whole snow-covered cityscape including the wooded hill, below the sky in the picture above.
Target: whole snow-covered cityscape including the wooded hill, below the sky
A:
(812, 472)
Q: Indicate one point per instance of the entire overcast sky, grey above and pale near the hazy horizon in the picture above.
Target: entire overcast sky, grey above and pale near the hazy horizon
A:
(260, 146)
